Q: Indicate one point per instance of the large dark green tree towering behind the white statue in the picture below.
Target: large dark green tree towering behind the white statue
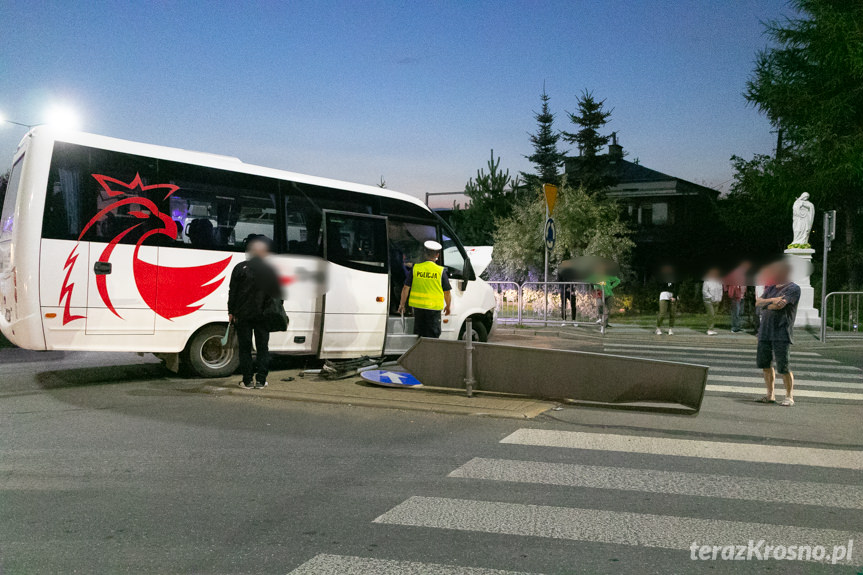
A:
(809, 83)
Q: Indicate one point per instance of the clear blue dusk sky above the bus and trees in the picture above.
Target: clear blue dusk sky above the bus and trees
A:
(415, 91)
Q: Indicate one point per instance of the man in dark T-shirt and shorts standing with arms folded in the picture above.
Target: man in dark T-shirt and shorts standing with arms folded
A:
(778, 306)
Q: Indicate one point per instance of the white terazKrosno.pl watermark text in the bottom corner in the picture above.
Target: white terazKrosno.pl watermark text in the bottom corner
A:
(760, 550)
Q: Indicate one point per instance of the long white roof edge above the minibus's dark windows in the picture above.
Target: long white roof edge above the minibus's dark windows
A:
(208, 160)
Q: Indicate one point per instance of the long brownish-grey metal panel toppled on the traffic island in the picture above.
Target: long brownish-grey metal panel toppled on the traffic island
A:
(582, 377)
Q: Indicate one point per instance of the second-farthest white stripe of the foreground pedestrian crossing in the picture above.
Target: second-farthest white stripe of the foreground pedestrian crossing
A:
(666, 482)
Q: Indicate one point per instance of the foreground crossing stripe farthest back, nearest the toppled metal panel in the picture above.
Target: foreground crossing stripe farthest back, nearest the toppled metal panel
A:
(753, 452)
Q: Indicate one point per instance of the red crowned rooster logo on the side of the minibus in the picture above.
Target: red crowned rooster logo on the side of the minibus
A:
(169, 291)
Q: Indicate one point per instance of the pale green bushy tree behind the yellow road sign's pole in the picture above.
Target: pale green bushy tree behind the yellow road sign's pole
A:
(586, 225)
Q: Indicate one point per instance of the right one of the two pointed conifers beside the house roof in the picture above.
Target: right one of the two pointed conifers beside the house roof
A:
(593, 173)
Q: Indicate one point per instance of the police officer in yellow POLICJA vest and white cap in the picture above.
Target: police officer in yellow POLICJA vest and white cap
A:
(428, 287)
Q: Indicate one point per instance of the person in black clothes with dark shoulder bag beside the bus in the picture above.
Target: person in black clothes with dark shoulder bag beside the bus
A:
(253, 283)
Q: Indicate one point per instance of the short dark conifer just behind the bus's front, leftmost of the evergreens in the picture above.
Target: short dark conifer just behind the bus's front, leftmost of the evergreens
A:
(492, 197)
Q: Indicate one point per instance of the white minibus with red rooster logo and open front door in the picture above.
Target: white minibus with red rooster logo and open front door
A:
(111, 245)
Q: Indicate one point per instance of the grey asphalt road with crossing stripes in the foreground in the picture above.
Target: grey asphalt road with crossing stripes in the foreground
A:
(110, 465)
